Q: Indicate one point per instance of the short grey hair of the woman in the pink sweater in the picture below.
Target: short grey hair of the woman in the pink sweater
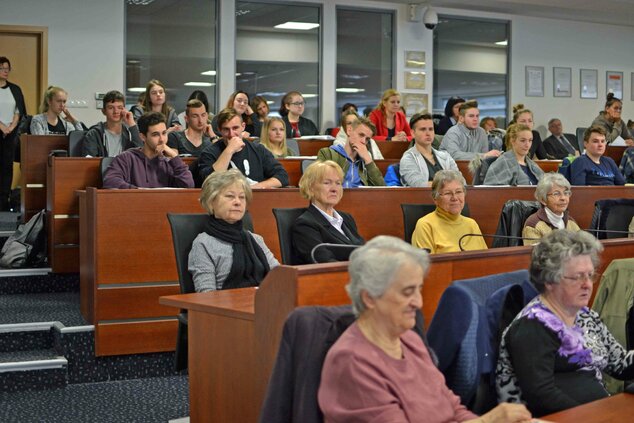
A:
(373, 266)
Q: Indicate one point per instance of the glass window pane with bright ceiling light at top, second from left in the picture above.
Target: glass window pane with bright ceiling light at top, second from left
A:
(272, 61)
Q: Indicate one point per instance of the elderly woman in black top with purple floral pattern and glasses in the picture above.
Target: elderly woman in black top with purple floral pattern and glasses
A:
(553, 353)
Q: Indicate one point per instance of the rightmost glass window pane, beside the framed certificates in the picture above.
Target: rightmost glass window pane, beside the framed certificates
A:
(469, 64)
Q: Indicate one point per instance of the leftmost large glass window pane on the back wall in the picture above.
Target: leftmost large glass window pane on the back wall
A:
(174, 42)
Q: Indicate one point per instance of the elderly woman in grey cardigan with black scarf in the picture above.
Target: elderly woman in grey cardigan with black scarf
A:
(226, 255)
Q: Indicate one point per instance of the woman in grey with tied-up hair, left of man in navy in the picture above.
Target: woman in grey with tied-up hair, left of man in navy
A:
(515, 167)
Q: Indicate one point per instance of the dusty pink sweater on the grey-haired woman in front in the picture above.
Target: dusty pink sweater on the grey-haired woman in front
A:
(360, 383)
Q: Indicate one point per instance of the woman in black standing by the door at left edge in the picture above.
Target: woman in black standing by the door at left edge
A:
(12, 110)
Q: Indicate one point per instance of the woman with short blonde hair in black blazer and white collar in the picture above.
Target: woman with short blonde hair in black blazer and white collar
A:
(321, 184)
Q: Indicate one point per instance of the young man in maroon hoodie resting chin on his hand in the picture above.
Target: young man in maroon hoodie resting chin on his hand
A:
(155, 165)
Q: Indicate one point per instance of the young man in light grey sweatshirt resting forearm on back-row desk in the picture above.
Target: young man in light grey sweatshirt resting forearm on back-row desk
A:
(466, 140)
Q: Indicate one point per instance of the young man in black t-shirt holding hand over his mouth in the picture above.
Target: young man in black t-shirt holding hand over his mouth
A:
(253, 160)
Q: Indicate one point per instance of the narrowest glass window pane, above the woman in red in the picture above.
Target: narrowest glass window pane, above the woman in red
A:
(364, 57)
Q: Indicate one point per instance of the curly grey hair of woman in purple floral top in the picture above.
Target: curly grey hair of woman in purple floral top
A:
(555, 249)
